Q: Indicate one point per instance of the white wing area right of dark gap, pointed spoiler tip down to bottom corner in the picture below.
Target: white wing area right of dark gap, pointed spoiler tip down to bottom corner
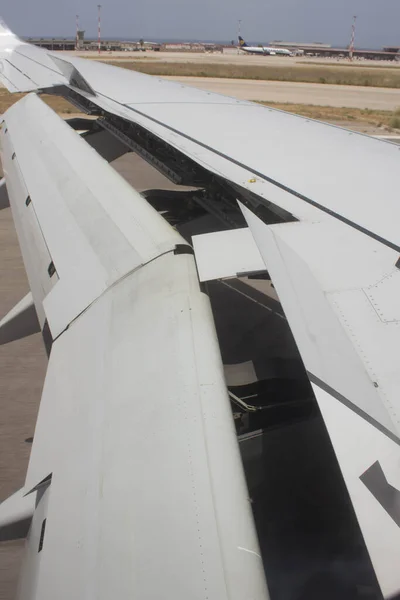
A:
(351, 354)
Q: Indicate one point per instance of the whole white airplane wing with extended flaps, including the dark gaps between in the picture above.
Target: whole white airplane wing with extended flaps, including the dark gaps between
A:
(169, 344)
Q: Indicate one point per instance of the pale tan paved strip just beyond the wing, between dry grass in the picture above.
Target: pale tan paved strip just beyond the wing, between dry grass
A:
(298, 93)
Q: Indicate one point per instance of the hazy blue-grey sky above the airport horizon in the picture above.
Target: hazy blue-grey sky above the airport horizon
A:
(378, 21)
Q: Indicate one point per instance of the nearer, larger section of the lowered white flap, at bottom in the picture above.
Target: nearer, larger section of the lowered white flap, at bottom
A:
(139, 381)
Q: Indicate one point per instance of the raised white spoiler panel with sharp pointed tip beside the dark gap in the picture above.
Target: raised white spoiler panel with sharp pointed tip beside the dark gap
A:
(325, 342)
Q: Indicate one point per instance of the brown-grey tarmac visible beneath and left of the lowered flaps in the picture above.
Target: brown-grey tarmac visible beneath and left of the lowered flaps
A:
(22, 370)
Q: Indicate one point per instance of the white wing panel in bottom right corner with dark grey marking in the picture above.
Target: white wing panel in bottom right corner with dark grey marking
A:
(359, 446)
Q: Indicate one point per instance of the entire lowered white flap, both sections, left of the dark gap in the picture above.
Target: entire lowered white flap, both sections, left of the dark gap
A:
(135, 463)
